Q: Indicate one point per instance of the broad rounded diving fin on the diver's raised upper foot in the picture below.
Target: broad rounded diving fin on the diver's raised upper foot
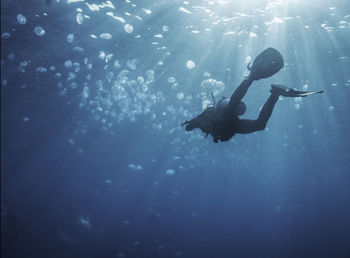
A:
(266, 64)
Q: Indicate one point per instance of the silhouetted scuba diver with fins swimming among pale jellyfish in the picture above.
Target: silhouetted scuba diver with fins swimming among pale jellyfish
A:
(222, 119)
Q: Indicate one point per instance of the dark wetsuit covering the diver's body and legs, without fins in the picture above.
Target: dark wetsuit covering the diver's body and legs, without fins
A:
(224, 124)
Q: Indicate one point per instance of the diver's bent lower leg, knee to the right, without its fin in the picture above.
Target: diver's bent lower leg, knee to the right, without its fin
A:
(250, 126)
